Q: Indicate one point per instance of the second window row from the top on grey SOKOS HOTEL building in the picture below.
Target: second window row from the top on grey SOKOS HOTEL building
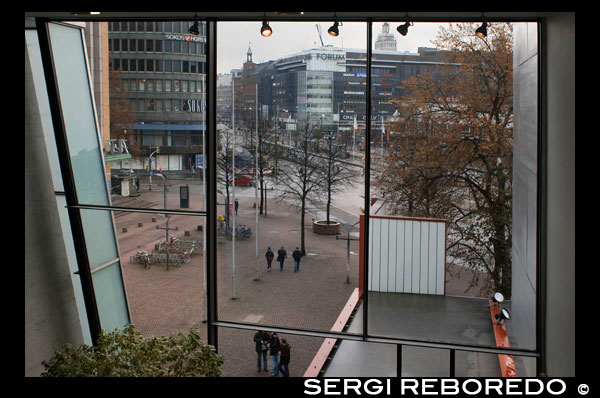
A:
(157, 65)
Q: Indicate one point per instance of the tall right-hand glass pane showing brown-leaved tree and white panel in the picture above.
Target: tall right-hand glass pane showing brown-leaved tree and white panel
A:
(440, 233)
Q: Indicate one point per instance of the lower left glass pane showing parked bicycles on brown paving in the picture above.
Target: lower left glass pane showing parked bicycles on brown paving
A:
(166, 294)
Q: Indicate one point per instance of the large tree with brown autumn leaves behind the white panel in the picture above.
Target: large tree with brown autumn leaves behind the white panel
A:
(452, 157)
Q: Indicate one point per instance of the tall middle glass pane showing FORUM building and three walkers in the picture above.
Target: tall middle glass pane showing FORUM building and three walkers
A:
(286, 116)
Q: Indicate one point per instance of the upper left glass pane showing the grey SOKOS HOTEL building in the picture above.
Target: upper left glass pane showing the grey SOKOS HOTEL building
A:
(138, 147)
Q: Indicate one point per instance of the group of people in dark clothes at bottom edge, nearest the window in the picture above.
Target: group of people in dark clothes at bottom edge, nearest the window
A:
(279, 350)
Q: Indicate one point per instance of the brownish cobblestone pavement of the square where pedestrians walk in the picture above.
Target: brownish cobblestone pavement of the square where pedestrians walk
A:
(166, 302)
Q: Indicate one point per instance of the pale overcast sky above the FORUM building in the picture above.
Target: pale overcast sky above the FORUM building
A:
(292, 37)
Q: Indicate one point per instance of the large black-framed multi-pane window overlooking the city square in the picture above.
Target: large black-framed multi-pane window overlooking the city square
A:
(376, 168)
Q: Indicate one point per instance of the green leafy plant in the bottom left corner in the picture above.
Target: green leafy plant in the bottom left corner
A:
(126, 353)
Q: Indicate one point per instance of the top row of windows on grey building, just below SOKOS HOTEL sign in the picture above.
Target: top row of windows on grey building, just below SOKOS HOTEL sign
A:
(157, 46)
